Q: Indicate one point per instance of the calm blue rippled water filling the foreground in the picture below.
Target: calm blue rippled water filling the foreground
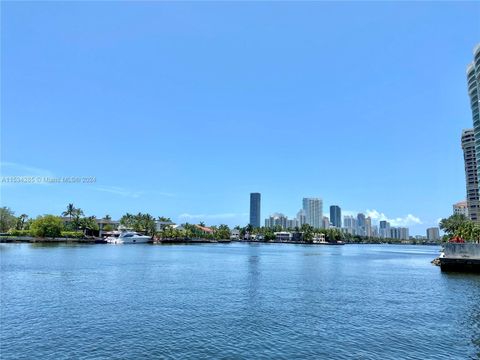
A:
(234, 301)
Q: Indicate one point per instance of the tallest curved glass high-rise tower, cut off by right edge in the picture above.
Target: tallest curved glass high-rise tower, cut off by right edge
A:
(473, 84)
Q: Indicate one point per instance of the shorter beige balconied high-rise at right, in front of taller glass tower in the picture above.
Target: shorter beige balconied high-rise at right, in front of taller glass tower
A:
(471, 176)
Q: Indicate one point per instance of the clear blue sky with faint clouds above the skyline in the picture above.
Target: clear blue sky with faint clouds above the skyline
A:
(183, 109)
